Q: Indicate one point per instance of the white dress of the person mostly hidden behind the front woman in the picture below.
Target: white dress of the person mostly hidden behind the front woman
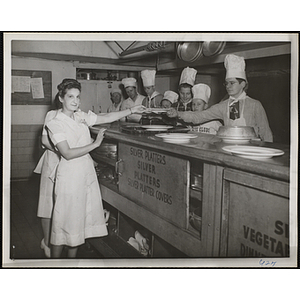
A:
(47, 163)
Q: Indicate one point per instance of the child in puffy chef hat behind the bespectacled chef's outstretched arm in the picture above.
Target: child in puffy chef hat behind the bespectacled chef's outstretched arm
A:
(201, 96)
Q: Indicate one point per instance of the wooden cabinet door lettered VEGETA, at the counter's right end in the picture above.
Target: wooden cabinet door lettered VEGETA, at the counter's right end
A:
(255, 216)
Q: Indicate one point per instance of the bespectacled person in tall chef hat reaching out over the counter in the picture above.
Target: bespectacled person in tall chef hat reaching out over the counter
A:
(239, 109)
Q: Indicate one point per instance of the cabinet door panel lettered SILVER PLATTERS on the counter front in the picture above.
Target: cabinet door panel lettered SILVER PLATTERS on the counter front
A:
(156, 181)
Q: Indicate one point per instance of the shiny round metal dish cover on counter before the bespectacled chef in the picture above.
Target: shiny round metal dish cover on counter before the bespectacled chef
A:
(236, 134)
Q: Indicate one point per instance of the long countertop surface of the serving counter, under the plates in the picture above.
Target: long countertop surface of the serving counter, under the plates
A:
(208, 148)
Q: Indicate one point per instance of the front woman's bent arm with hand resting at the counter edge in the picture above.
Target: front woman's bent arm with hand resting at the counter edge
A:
(70, 153)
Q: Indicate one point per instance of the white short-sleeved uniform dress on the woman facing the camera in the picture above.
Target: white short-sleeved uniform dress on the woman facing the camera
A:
(78, 211)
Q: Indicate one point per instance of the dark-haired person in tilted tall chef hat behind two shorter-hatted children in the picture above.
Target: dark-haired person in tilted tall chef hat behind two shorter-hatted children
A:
(187, 80)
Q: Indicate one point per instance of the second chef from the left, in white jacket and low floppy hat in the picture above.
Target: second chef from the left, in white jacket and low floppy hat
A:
(134, 98)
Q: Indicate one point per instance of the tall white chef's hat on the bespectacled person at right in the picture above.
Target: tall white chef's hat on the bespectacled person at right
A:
(235, 66)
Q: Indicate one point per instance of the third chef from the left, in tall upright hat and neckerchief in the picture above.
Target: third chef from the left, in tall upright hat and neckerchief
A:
(153, 98)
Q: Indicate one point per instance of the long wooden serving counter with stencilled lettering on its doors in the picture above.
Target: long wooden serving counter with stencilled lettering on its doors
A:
(192, 199)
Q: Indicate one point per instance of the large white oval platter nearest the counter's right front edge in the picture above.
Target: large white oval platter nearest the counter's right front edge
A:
(252, 151)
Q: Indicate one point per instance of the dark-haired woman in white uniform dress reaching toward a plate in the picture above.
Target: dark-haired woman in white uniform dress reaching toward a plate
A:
(78, 212)
